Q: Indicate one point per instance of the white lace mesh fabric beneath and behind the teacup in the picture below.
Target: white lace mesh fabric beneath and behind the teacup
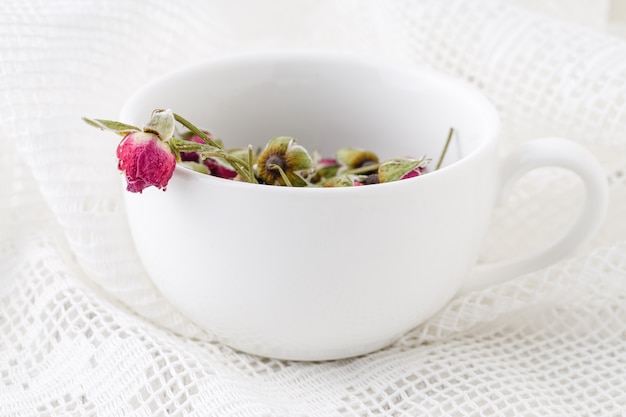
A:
(84, 332)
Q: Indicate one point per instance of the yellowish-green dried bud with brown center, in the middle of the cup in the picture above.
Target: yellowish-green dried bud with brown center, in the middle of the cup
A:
(281, 161)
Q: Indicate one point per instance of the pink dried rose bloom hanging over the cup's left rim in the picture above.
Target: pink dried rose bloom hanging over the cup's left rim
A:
(145, 160)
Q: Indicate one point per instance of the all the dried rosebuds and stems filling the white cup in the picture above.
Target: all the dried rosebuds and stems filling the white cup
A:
(148, 156)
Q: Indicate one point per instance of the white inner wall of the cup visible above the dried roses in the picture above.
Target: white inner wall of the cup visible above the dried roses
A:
(326, 102)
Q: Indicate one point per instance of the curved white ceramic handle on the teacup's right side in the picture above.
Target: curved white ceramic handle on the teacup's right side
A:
(542, 153)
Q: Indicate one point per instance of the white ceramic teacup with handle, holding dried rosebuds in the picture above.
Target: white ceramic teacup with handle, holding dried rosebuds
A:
(318, 273)
